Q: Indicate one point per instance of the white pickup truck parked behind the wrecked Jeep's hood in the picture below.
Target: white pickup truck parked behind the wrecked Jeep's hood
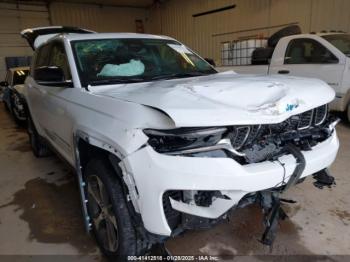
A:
(323, 55)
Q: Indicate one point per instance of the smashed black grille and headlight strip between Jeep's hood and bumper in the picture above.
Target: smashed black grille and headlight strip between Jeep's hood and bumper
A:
(246, 144)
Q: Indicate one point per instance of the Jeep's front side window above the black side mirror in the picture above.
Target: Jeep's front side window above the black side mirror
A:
(58, 58)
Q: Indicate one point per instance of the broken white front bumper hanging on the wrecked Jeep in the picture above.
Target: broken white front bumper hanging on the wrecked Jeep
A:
(156, 173)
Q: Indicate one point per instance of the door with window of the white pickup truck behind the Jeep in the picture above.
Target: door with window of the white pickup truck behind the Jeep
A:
(308, 57)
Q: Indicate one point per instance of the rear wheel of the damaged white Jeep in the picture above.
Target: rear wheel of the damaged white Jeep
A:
(39, 148)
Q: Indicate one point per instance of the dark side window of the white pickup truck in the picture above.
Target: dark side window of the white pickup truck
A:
(308, 51)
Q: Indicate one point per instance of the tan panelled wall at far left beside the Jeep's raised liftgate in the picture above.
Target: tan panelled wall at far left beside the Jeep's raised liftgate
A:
(14, 18)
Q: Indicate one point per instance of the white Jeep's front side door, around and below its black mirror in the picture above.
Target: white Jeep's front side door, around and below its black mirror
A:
(51, 108)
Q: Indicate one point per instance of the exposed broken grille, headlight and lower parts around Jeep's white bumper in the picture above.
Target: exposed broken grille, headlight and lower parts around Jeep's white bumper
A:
(249, 144)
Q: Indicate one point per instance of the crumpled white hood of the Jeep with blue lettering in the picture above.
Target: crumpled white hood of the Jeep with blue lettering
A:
(225, 98)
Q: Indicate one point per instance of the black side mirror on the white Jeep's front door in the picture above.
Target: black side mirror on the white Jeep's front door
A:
(50, 76)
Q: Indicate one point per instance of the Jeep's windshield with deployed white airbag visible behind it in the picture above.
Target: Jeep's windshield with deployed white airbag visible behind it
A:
(105, 61)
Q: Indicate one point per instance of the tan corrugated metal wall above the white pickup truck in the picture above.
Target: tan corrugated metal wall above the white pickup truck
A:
(205, 33)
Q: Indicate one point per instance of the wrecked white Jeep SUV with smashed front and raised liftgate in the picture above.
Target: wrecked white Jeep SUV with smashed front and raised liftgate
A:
(161, 142)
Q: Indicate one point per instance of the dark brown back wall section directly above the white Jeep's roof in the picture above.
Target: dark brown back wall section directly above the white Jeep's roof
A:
(96, 17)
